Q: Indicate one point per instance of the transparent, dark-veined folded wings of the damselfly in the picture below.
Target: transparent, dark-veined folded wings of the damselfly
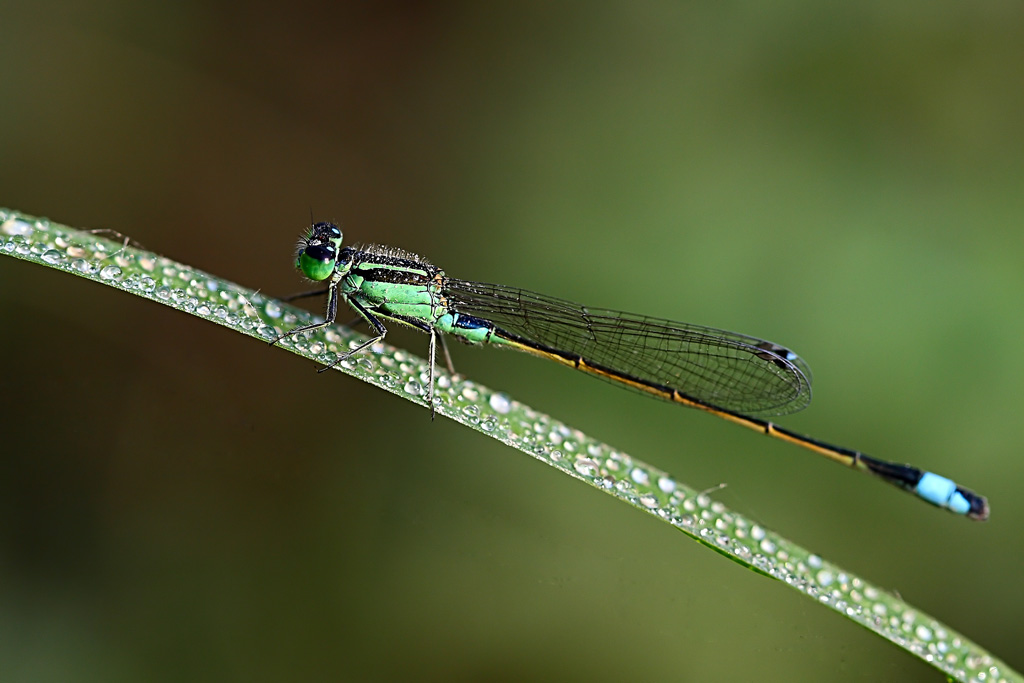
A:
(722, 369)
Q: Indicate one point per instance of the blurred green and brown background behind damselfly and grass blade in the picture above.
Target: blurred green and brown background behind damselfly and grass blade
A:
(180, 503)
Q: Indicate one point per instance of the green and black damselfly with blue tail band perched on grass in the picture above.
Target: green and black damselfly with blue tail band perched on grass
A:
(740, 378)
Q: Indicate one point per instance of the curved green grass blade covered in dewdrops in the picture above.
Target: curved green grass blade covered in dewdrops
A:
(118, 264)
